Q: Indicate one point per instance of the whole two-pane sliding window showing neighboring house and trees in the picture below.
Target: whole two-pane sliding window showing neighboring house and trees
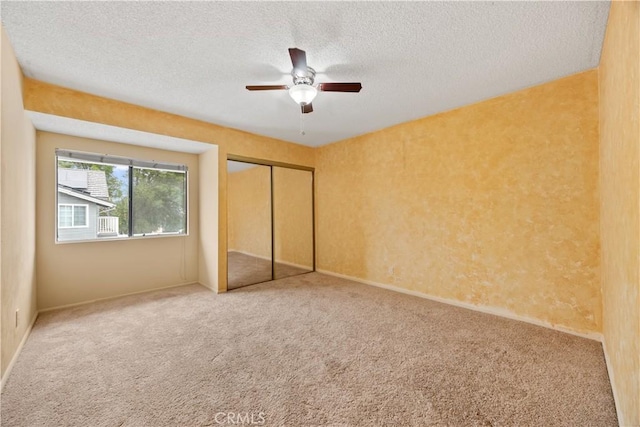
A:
(116, 197)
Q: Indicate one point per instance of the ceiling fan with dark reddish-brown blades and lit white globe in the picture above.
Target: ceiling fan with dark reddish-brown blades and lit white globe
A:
(303, 92)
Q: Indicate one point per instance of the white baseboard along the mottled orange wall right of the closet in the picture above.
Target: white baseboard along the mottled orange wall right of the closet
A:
(481, 308)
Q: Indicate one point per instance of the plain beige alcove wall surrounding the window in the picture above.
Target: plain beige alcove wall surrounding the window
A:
(77, 272)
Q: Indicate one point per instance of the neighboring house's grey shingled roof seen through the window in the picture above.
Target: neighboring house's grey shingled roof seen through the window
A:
(90, 185)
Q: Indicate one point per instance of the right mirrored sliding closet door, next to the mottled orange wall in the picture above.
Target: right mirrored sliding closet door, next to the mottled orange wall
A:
(292, 221)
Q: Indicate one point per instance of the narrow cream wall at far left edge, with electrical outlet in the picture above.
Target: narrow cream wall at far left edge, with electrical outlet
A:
(17, 204)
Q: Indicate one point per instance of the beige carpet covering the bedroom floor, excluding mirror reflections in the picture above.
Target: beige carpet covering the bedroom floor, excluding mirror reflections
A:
(310, 350)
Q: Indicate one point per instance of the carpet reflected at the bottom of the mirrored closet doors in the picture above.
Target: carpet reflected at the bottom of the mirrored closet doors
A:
(246, 270)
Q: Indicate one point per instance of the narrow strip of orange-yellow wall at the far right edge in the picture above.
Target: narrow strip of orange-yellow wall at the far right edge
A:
(620, 204)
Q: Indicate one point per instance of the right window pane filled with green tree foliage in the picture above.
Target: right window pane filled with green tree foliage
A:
(159, 202)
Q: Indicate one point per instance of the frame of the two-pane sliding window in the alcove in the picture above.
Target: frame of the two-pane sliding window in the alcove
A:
(131, 164)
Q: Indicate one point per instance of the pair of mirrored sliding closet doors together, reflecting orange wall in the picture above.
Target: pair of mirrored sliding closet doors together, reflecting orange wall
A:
(269, 221)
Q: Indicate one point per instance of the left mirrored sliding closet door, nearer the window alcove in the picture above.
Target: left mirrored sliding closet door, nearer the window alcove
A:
(249, 224)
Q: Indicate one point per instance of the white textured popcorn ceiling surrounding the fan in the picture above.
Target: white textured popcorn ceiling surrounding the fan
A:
(413, 58)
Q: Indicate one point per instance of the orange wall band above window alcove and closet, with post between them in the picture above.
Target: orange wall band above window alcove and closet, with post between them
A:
(51, 99)
